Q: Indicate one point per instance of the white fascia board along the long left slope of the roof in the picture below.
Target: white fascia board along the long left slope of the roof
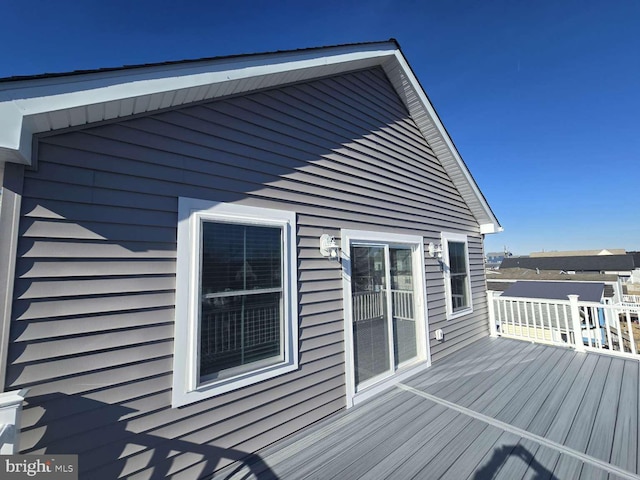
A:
(23, 102)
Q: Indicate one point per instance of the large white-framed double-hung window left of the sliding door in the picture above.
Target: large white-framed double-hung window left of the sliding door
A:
(236, 298)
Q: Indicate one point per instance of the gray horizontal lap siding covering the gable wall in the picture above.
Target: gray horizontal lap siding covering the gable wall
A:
(92, 331)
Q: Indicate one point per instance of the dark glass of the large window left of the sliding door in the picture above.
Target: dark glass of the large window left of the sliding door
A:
(241, 314)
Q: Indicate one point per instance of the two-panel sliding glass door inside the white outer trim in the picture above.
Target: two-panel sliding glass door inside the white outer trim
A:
(383, 304)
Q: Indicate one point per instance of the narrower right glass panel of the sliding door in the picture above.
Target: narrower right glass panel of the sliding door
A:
(402, 305)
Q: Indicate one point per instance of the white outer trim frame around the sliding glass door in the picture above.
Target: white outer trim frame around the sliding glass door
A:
(424, 353)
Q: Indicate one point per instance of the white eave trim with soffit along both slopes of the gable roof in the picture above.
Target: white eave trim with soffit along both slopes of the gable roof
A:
(37, 105)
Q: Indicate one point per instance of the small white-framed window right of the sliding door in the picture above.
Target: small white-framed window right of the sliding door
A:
(455, 260)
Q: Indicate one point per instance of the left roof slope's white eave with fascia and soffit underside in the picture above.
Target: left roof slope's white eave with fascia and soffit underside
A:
(40, 105)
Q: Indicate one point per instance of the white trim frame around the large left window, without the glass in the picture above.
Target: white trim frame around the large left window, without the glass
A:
(191, 212)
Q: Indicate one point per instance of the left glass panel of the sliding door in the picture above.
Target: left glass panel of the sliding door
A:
(370, 313)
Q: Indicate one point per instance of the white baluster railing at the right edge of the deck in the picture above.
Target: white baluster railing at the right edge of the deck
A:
(592, 326)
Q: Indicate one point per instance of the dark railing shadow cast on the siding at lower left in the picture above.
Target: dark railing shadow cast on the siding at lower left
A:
(78, 422)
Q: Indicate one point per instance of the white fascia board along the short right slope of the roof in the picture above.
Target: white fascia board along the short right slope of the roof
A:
(483, 213)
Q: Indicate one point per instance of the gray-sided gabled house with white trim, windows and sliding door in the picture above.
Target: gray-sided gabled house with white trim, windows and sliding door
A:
(164, 294)
